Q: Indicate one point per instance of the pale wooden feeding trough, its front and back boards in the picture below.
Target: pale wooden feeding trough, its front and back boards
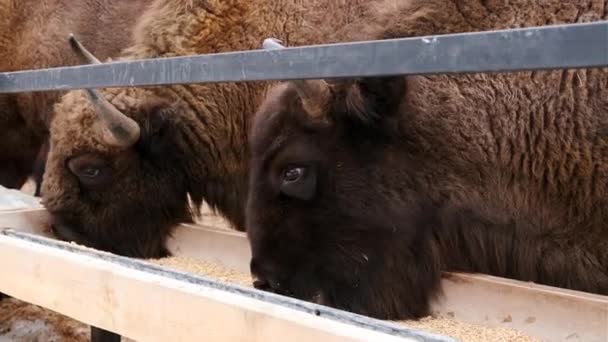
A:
(147, 302)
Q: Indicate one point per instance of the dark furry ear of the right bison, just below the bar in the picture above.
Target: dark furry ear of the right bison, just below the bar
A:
(370, 100)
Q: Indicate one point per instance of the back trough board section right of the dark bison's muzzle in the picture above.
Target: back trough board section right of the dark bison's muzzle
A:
(549, 313)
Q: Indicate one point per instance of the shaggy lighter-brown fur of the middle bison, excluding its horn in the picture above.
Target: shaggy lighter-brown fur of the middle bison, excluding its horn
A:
(193, 137)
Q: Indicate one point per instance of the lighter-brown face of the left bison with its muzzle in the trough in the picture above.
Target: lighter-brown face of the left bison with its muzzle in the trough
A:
(123, 199)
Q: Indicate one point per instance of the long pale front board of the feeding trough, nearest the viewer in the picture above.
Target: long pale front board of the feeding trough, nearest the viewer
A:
(148, 303)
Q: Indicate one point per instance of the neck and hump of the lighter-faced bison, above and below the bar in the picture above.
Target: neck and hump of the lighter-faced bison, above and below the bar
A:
(218, 114)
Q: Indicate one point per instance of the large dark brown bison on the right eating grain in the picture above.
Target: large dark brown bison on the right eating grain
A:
(362, 191)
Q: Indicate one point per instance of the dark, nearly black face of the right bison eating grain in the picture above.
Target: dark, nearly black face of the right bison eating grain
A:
(324, 217)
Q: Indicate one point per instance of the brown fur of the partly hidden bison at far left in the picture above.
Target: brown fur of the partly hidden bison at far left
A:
(33, 35)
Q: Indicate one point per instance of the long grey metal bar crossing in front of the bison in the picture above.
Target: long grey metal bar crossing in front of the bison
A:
(547, 47)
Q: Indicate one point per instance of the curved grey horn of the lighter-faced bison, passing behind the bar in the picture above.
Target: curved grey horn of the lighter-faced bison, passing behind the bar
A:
(122, 130)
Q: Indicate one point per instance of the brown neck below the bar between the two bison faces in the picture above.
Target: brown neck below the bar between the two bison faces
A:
(217, 117)
